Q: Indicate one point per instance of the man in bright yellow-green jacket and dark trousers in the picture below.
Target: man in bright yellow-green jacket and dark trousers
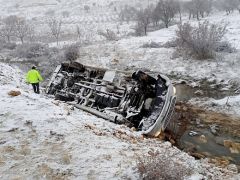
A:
(34, 77)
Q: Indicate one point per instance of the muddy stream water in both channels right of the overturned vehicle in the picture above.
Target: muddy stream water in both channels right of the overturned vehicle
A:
(193, 131)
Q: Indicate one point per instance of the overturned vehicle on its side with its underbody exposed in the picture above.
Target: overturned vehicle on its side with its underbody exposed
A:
(135, 99)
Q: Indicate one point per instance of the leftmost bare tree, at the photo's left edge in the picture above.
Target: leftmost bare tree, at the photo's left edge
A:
(8, 28)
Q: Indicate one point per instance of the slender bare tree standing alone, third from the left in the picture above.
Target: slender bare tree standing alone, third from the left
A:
(55, 26)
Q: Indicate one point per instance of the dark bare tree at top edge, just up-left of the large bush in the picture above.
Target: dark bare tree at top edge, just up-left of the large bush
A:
(166, 9)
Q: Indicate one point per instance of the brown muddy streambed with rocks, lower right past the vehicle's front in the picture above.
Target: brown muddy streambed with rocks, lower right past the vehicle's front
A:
(204, 133)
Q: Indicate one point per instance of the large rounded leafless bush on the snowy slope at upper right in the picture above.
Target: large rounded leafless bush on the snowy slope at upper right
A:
(200, 41)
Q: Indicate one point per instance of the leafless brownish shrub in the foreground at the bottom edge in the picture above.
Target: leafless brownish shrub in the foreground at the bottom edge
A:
(156, 166)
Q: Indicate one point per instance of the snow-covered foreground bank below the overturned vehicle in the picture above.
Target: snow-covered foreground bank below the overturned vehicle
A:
(43, 139)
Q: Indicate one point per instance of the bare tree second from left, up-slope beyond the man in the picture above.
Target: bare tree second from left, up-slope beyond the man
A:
(22, 29)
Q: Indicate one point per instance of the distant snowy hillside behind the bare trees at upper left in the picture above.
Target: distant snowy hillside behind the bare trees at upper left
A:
(101, 15)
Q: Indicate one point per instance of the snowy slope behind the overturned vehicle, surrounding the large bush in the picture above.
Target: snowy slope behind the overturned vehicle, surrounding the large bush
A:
(129, 52)
